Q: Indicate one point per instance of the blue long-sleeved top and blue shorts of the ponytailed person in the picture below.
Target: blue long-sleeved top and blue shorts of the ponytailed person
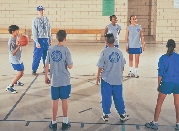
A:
(168, 69)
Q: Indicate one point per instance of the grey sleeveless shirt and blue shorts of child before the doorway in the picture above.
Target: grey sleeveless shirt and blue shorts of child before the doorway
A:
(134, 40)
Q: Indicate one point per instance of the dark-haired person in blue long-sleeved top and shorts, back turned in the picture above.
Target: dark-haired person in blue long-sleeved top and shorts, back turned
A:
(168, 82)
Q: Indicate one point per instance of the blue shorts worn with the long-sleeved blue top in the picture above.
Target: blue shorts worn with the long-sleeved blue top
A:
(169, 87)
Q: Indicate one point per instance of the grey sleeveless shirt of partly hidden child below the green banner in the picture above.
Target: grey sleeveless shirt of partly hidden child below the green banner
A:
(114, 29)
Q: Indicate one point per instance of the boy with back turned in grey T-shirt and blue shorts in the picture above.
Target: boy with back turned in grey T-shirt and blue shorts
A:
(59, 59)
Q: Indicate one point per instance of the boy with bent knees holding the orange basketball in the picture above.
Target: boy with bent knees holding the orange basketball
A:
(15, 51)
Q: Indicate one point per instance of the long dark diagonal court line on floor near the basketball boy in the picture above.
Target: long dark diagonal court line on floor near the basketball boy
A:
(9, 113)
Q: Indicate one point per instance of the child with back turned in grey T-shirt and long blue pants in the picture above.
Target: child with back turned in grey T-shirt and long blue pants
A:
(110, 67)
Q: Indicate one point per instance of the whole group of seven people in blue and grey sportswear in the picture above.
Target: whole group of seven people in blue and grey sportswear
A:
(110, 68)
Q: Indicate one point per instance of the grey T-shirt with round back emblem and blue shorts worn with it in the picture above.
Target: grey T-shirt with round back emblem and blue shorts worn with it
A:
(59, 58)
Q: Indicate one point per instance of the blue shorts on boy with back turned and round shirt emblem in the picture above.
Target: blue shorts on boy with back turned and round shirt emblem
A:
(62, 92)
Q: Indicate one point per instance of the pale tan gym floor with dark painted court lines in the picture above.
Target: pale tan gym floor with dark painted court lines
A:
(30, 108)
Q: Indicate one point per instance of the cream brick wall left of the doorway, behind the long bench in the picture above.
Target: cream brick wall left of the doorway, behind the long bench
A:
(69, 14)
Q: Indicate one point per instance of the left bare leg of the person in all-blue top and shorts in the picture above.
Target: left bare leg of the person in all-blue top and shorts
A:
(160, 100)
